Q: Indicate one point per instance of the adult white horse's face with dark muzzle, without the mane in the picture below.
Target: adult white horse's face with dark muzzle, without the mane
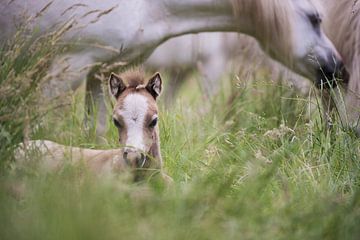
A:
(314, 53)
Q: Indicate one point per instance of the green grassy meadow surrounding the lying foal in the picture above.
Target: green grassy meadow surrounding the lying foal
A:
(253, 163)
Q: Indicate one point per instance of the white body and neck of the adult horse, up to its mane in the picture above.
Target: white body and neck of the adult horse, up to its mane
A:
(133, 29)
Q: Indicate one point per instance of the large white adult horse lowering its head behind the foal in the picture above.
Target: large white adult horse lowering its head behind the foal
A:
(289, 31)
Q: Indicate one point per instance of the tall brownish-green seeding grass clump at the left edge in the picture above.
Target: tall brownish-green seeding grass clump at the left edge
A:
(24, 61)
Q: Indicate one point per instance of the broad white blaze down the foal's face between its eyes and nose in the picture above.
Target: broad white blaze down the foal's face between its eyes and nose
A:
(133, 112)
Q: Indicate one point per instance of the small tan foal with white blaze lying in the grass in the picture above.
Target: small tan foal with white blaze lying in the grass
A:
(135, 115)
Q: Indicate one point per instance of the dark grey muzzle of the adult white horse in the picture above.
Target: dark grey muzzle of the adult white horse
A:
(331, 73)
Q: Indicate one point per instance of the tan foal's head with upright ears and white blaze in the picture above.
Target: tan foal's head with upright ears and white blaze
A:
(136, 116)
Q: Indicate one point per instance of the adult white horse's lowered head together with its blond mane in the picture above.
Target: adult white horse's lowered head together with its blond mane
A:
(291, 32)
